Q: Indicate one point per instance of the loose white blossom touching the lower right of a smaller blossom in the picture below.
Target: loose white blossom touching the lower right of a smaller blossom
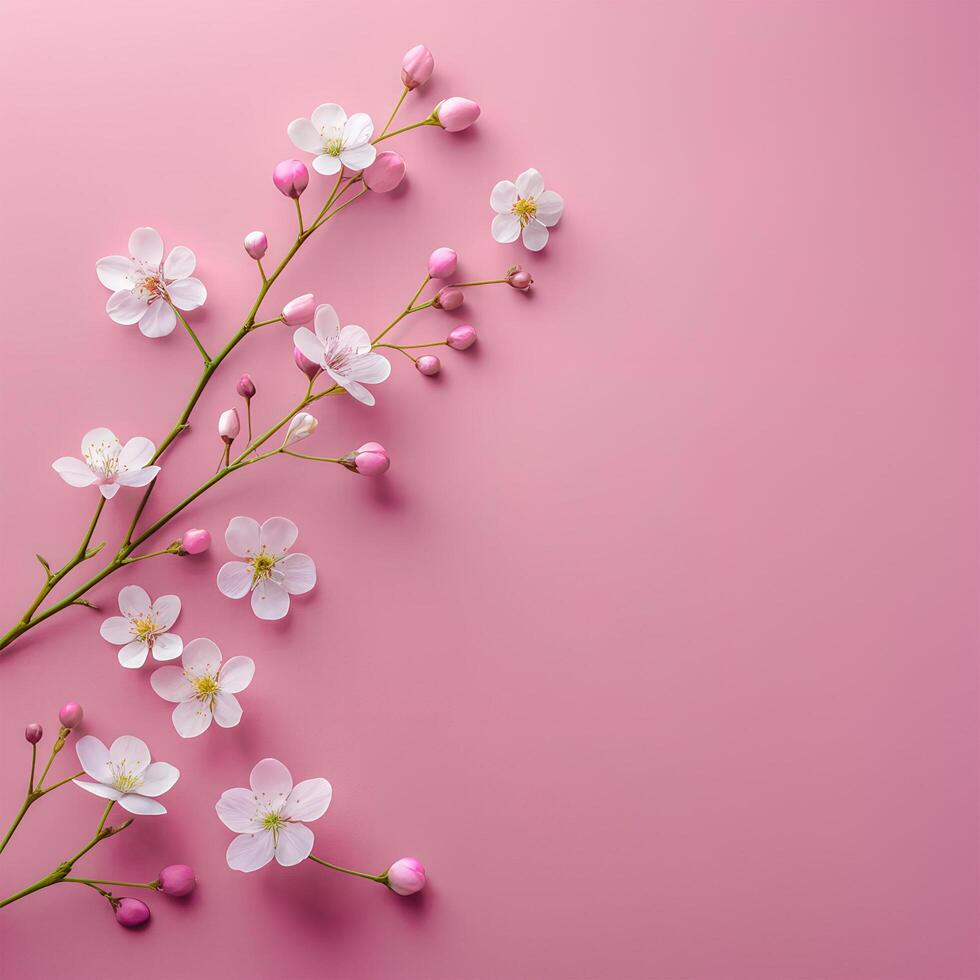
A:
(203, 688)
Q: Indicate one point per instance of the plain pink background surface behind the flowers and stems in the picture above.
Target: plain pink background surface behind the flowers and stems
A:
(657, 645)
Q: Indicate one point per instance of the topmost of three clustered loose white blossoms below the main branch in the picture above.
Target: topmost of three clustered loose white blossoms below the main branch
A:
(270, 574)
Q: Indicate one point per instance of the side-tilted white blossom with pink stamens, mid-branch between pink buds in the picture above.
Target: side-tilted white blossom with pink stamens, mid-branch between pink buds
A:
(345, 354)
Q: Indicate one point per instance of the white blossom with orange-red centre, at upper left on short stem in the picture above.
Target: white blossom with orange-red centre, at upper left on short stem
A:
(144, 285)
